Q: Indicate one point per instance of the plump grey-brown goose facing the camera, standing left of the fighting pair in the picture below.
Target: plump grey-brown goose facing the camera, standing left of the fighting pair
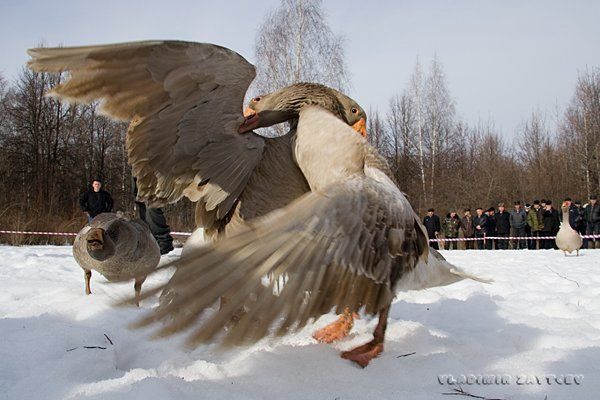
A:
(118, 248)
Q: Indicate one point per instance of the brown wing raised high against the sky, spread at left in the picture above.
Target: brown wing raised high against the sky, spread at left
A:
(184, 101)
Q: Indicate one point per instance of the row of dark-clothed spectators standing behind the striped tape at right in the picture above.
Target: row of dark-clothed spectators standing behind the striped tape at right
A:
(524, 227)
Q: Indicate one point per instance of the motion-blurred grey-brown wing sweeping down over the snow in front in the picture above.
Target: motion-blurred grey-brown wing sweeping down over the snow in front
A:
(344, 247)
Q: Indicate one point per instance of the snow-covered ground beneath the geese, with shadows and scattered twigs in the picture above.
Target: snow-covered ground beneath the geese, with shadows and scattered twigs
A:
(539, 319)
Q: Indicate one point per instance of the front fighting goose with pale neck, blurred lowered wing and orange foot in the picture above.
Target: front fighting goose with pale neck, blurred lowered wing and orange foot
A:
(351, 243)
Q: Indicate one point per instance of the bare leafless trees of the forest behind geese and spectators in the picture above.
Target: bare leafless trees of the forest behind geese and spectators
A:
(50, 150)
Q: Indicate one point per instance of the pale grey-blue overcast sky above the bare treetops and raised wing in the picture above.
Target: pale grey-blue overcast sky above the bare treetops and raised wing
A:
(502, 59)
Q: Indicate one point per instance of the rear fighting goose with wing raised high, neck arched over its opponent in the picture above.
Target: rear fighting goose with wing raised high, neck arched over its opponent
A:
(183, 101)
